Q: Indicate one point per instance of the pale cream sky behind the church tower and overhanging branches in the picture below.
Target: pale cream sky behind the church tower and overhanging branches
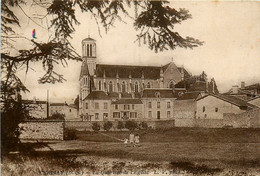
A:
(231, 53)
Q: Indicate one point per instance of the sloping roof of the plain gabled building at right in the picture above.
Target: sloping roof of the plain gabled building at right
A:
(233, 100)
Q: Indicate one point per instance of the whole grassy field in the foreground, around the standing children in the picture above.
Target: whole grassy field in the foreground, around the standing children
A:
(196, 150)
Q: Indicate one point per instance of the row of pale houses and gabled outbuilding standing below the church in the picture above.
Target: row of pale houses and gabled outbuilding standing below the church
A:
(162, 104)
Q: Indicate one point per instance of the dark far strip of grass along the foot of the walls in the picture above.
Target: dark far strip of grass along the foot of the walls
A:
(220, 135)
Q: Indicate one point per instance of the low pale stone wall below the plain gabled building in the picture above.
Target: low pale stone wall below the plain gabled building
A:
(203, 123)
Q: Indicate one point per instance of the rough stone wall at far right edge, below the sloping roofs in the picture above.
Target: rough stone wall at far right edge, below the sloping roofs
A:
(249, 119)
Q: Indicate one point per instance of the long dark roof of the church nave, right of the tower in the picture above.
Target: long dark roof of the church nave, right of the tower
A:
(125, 71)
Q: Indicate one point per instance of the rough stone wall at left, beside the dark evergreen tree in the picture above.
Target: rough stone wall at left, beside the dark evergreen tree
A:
(50, 130)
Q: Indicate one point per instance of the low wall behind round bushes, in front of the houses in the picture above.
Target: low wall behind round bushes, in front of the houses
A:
(87, 125)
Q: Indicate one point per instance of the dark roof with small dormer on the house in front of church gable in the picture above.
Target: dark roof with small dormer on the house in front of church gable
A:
(163, 93)
